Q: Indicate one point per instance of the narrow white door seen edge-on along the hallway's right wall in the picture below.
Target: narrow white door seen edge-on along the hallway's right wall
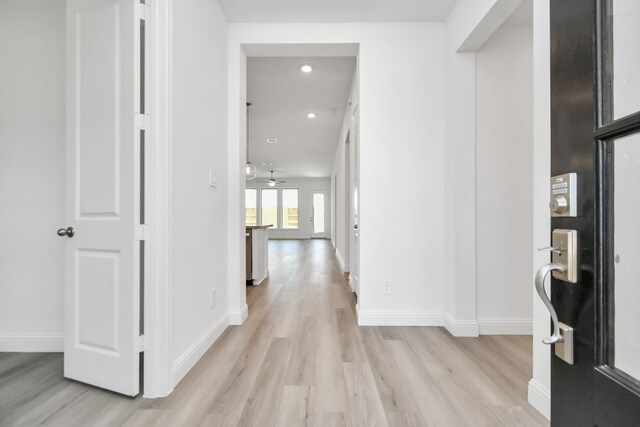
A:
(354, 273)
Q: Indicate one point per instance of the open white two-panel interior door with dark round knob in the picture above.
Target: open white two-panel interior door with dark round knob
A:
(102, 290)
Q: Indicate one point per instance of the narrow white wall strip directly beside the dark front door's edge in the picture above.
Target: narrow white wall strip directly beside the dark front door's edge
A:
(540, 384)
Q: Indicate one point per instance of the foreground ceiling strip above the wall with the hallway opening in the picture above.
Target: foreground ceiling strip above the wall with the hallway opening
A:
(336, 10)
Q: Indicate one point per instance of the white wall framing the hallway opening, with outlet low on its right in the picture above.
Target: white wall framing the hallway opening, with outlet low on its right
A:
(402, 136)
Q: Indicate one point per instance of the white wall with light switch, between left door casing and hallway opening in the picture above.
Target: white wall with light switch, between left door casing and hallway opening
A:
(199, 215)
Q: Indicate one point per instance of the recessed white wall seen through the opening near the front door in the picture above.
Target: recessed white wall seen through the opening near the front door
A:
(504, 182)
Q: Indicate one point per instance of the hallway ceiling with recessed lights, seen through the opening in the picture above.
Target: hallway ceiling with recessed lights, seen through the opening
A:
(282, 96)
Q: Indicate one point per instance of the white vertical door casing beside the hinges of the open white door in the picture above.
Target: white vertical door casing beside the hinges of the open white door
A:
(158, 374)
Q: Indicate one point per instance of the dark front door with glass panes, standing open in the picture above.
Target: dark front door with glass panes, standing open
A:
(595, 133)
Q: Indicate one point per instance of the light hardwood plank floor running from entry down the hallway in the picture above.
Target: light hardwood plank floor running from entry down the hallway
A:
(300, 359)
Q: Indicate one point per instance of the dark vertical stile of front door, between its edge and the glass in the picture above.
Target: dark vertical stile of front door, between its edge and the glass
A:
(572, 150)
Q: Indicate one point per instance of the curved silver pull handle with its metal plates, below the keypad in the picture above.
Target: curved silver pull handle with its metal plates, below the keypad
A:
(565, 267)
